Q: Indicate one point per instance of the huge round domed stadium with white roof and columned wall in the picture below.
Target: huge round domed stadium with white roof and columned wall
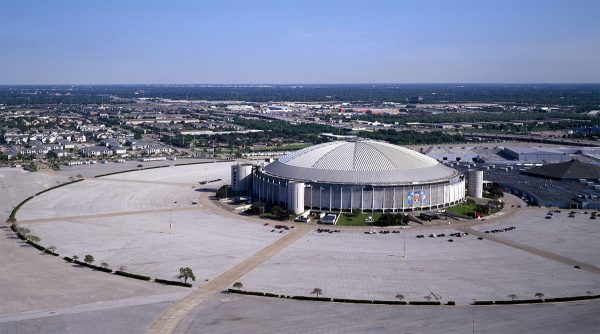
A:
(358, 174)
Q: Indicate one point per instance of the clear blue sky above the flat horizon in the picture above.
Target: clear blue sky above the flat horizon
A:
(299, 41)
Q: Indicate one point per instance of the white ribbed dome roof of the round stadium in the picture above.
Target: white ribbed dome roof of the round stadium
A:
(360, 162)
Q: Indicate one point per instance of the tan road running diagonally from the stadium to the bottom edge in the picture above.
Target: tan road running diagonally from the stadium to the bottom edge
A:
(167, 322)
